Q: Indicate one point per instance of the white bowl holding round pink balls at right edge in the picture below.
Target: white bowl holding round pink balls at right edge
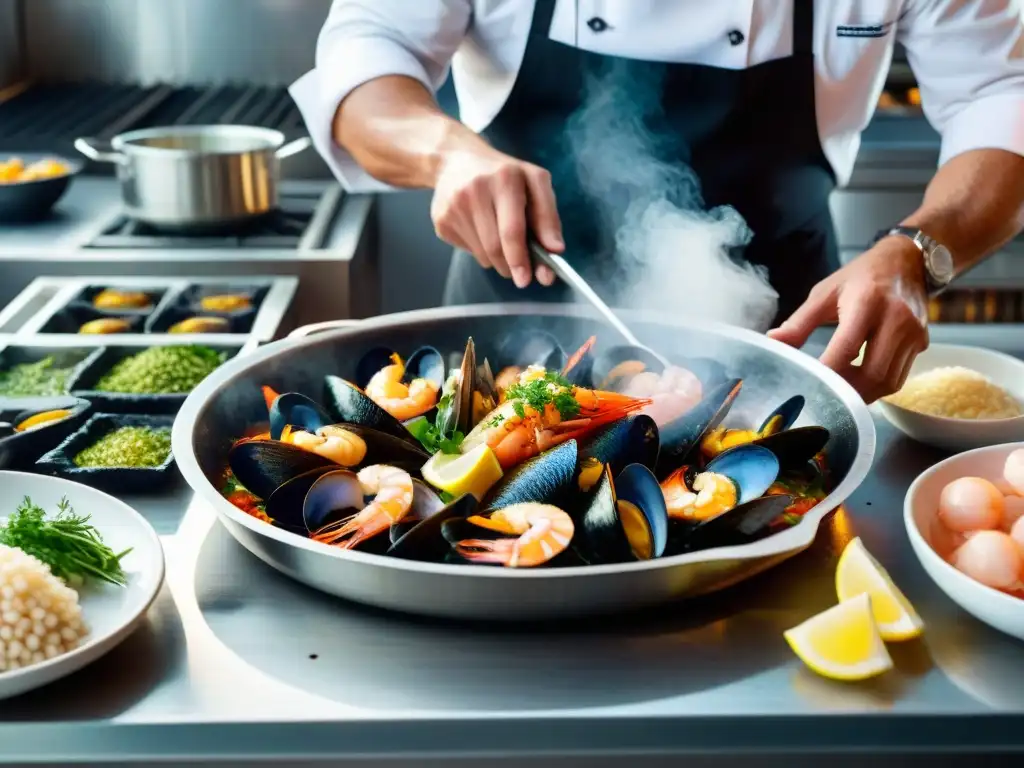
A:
(921, 507)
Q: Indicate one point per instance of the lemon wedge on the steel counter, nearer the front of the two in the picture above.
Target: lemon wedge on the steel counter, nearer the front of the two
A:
(842, 644)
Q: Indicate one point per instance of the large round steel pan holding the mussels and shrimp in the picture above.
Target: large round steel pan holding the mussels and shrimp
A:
(230, 401)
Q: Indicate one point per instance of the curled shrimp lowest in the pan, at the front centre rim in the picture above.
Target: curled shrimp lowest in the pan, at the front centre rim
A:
(542, 533)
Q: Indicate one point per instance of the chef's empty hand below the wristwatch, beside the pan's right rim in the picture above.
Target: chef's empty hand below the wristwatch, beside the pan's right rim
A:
(879, 297)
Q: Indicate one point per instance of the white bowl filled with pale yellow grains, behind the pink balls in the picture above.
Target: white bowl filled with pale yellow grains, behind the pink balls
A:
(963, 435)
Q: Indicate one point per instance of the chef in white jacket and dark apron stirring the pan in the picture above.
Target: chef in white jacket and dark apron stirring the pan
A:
(765, 100)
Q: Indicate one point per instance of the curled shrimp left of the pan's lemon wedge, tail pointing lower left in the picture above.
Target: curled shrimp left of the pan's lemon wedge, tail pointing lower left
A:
(393, 492)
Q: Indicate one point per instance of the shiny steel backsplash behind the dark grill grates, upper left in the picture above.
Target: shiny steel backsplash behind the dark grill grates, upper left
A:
(269, 42)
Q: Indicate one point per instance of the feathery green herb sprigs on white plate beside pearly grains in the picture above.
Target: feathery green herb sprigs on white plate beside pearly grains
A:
(67, 543)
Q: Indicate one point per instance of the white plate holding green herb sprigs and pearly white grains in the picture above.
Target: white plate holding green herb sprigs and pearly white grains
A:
(112, 613)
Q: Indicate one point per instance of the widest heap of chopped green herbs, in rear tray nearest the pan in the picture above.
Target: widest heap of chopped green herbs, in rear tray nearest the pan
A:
(173, 370)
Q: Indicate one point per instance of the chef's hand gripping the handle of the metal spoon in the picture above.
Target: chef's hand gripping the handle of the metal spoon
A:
(484, 203)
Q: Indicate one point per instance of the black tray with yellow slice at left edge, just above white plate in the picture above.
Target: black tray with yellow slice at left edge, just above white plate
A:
(21, 450)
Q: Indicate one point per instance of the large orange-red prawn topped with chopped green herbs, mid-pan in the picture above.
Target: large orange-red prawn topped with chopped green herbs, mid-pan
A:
(518, 432)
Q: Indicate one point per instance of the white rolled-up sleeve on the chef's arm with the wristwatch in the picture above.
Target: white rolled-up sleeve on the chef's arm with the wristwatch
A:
(968, 58)
